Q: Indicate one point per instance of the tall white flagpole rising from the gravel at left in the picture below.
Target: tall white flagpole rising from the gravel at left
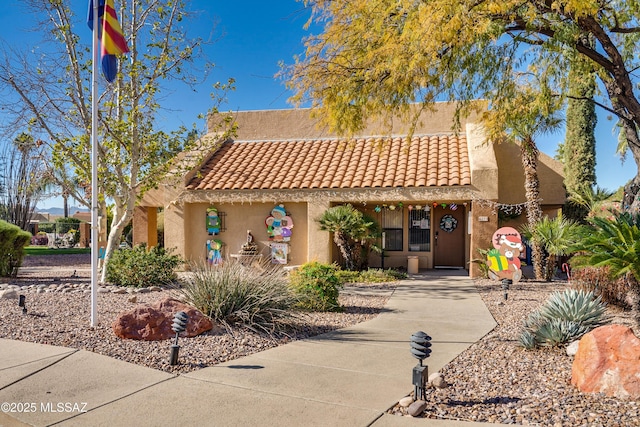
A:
(94, 169)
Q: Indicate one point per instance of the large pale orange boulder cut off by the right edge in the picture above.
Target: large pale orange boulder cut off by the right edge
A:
(608, 361)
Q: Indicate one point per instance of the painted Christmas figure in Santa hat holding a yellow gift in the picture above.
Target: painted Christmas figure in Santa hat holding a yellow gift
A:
(503, 260)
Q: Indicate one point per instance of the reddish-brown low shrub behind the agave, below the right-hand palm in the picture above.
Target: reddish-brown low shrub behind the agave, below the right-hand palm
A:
(599, 280)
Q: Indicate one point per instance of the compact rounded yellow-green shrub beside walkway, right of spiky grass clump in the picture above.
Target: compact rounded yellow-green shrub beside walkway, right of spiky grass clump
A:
(317, 286)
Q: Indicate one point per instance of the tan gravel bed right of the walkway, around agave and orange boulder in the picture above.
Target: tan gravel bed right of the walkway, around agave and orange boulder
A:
(497, 381)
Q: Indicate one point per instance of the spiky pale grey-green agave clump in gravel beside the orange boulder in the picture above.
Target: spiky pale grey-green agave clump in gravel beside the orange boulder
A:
(565, 317)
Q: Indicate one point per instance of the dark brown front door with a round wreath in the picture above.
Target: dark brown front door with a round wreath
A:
(448, 236)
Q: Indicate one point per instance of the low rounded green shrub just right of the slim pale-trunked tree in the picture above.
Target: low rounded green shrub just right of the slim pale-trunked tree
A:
(140, 267)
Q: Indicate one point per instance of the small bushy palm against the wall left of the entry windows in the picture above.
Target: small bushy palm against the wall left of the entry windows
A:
(349, 227)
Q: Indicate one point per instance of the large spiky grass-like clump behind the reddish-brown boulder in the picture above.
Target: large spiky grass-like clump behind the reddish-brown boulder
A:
(230, 293)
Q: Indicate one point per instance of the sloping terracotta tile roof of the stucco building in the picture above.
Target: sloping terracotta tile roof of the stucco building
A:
(429, 160)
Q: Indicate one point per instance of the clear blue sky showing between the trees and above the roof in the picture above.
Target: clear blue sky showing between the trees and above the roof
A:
(251, 38)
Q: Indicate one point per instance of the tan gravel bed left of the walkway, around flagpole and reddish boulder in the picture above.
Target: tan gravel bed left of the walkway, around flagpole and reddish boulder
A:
(63, 319)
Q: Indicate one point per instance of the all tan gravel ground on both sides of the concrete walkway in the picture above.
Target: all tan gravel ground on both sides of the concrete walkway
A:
(494, 381)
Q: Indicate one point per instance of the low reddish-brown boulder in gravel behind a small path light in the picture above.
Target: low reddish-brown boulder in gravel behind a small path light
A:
(151, 322)
